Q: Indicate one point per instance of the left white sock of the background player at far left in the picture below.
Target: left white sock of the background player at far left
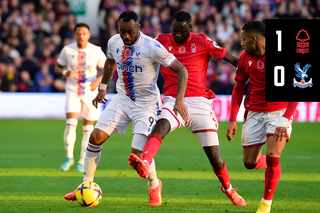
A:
(69, 136)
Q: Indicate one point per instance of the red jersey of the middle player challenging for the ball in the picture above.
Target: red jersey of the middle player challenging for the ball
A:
(194, 54)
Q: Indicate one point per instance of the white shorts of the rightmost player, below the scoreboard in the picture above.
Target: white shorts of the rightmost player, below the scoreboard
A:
(258, 125)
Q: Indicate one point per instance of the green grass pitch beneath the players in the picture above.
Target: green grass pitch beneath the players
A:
(31, 152)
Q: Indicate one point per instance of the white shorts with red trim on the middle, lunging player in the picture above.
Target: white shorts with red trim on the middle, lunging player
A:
(202, 119)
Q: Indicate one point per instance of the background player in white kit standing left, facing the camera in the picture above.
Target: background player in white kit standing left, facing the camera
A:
(78, 61)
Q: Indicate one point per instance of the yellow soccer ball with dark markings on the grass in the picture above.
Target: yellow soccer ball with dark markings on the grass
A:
(89, 194)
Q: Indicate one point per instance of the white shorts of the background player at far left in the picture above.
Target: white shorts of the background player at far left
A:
(82, 105)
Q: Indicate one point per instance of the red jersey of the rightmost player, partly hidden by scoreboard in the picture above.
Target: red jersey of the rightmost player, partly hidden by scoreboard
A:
(252, 67)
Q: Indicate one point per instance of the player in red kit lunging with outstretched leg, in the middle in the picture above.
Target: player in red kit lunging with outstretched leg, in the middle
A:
(194, 52)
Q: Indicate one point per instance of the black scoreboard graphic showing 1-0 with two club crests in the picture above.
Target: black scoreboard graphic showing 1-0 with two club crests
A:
(292, 60)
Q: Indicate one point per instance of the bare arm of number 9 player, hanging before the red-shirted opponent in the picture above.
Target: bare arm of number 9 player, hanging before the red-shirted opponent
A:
(182, 75)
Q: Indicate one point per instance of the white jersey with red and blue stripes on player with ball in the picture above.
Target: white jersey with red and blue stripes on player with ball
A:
(138, 67)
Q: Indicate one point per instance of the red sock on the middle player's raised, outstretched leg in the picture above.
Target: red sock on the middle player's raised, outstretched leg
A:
(152, 147)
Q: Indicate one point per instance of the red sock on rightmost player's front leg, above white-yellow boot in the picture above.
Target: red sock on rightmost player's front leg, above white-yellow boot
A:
(272, 176)
